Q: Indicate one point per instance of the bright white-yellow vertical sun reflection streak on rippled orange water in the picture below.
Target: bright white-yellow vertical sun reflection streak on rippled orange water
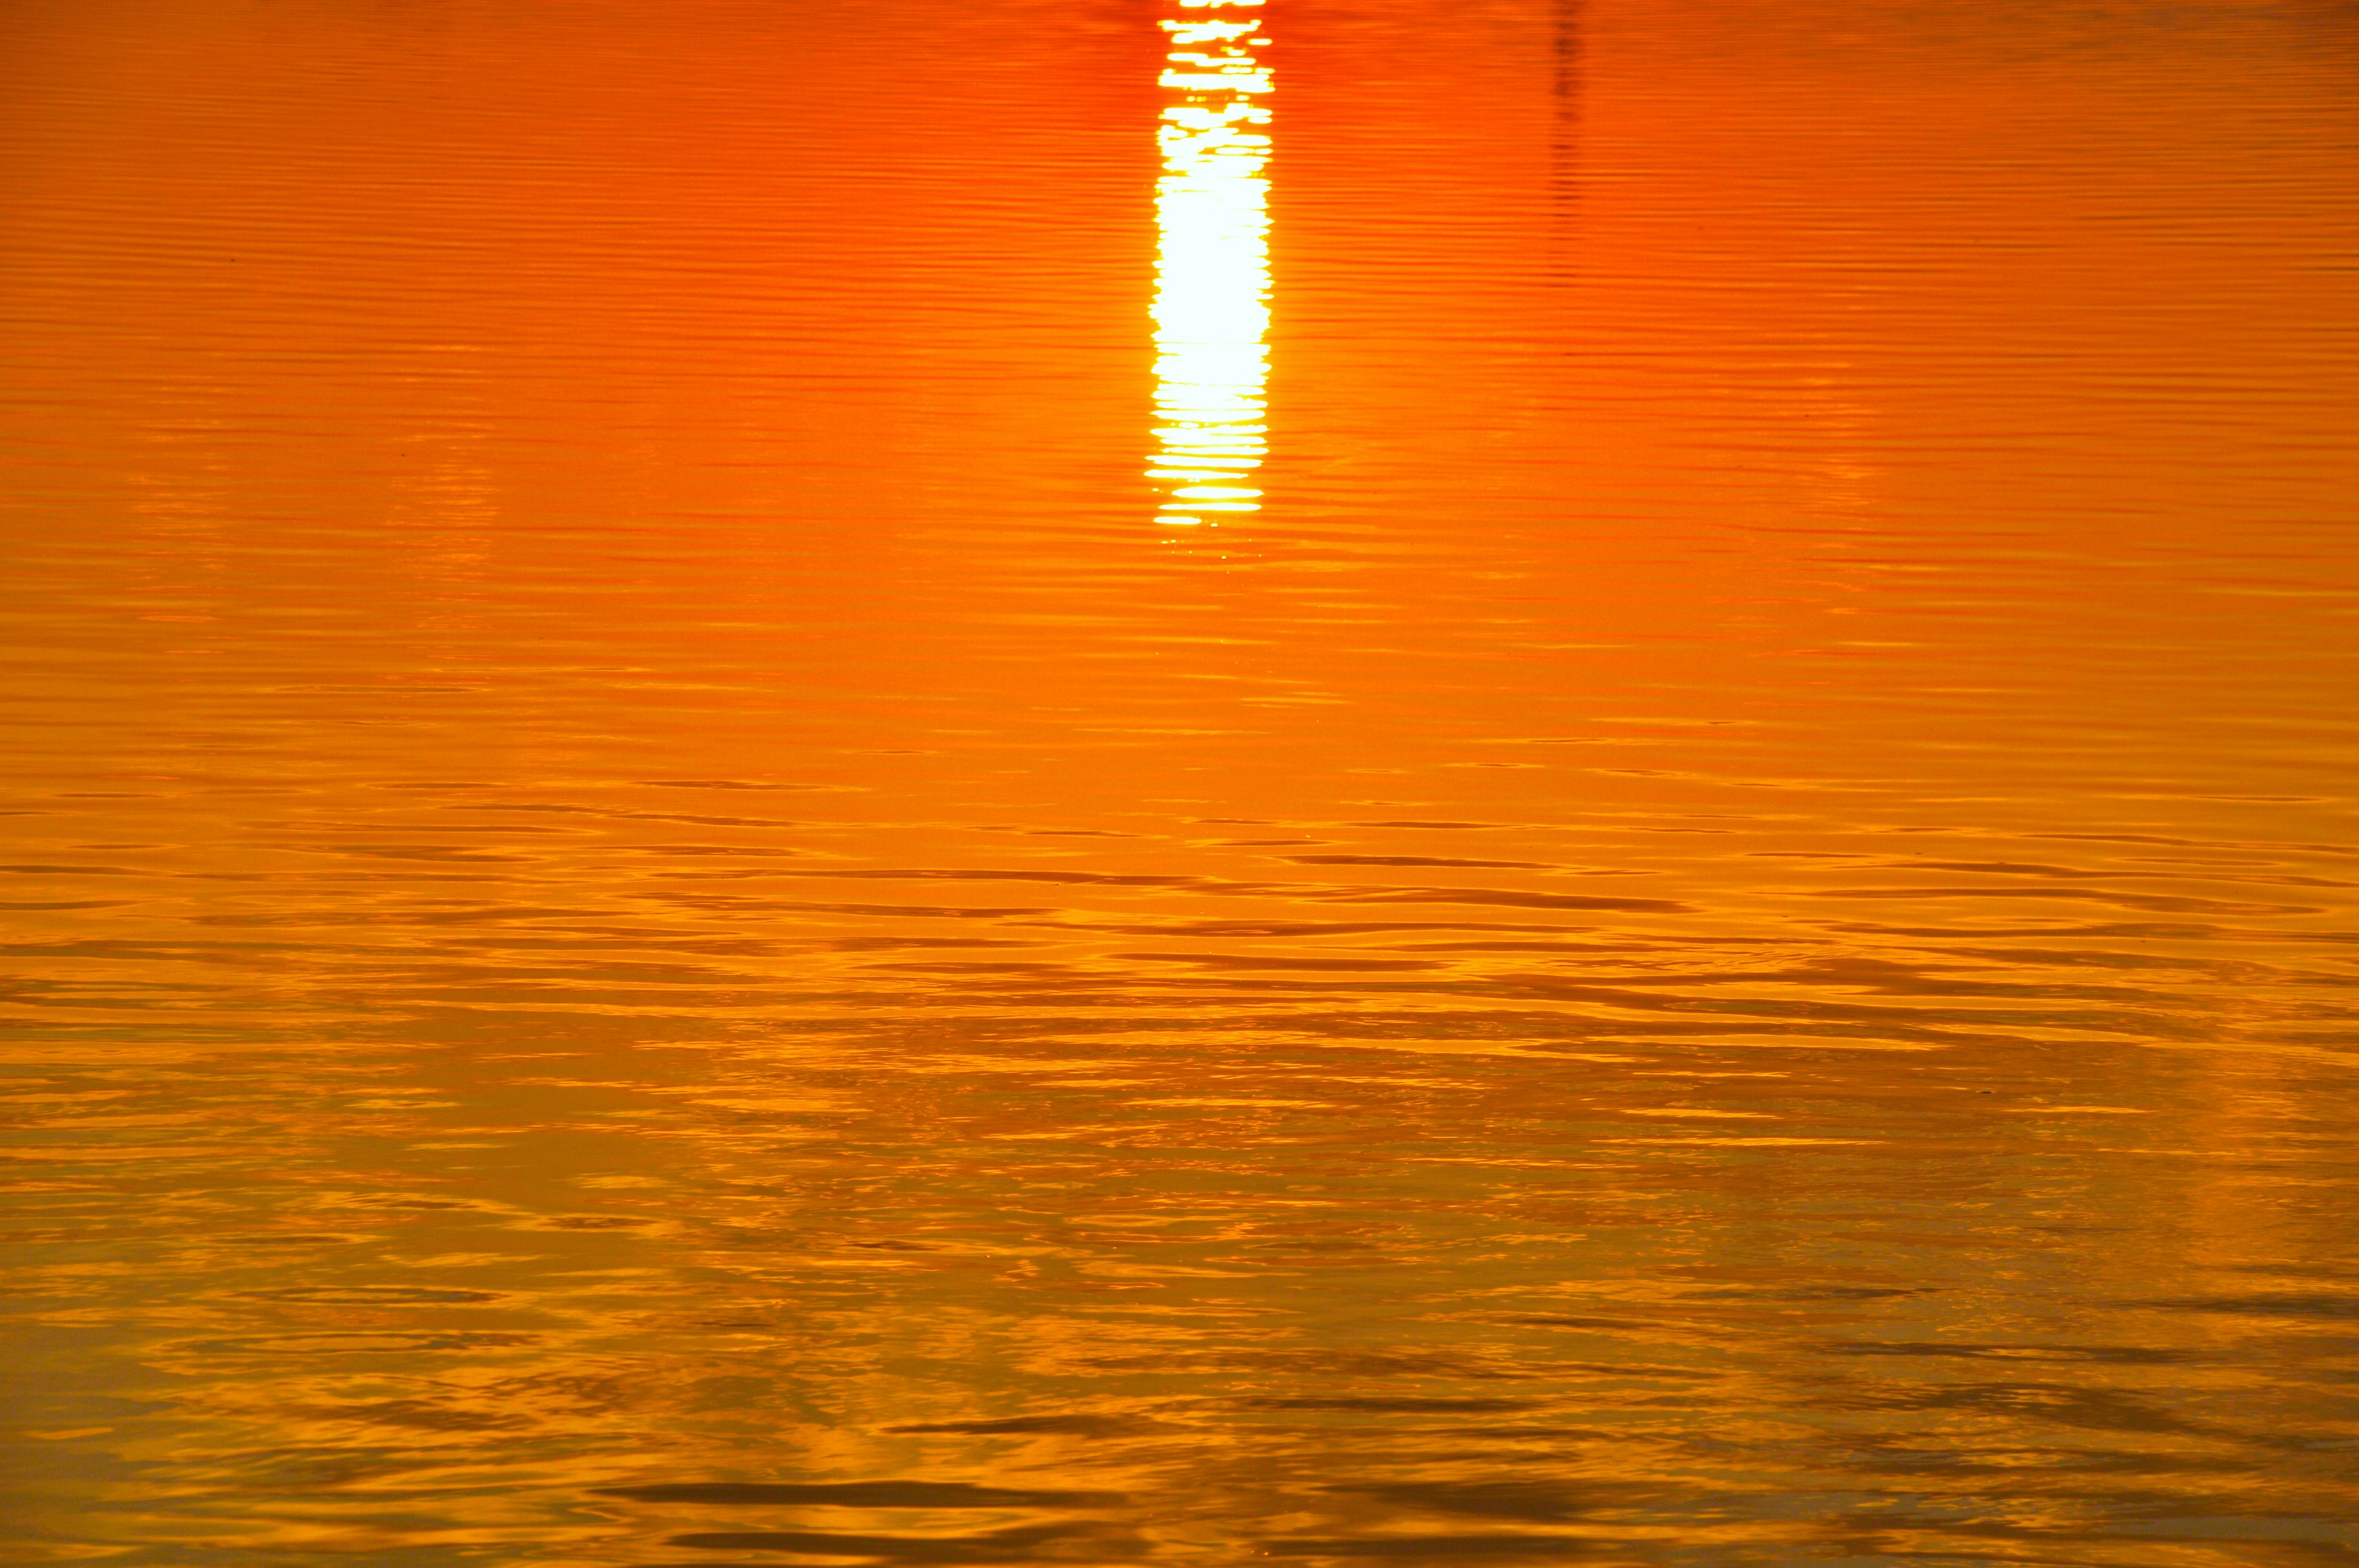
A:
(1214, 265)
